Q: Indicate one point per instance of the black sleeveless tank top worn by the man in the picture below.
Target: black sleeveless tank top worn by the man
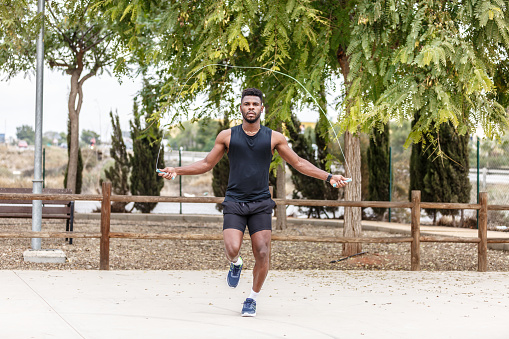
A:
(250, 158)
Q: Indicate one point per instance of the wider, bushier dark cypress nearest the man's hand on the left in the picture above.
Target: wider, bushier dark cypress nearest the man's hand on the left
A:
(146, 141)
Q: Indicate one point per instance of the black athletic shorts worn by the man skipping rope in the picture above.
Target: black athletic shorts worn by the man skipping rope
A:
(257, 215)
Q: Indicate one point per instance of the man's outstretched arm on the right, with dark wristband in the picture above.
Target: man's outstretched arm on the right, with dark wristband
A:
(302, 165)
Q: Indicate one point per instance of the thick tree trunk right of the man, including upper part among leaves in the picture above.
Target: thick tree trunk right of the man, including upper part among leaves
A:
(352, 221)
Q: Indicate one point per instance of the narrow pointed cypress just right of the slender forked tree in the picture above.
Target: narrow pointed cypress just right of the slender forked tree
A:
(118, 174)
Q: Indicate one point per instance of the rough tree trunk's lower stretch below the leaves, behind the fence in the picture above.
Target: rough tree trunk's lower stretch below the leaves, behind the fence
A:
(353, 215)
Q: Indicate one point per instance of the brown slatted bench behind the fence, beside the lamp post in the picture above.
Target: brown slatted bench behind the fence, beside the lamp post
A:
(51, 209)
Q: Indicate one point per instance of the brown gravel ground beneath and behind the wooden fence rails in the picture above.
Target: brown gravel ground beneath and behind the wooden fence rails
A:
(127, 254)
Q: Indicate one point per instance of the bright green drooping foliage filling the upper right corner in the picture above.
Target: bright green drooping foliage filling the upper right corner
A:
(437, 58)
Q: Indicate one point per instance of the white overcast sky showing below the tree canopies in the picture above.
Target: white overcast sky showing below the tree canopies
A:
(100, 95)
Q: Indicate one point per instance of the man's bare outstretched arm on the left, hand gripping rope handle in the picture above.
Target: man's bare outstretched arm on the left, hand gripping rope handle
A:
(204, 165)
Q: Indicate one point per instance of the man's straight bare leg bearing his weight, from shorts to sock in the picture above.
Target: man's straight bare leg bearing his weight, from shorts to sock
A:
(260, 242)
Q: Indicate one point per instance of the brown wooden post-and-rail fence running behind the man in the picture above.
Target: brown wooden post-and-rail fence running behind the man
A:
(415, 239)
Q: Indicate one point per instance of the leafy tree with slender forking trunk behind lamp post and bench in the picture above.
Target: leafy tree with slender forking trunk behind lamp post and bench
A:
(79, 39)
